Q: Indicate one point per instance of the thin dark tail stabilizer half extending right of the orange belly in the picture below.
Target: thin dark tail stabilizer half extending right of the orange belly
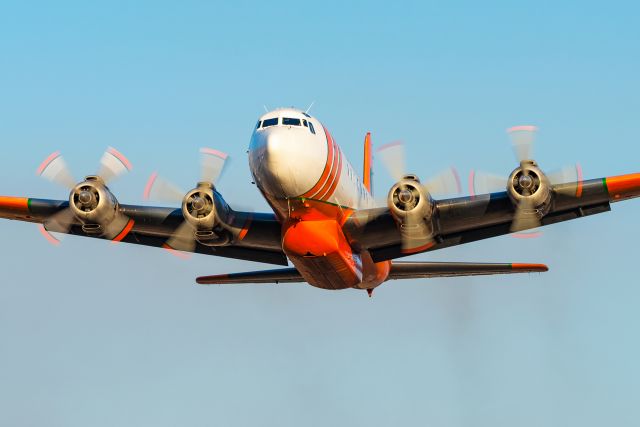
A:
(412, 270)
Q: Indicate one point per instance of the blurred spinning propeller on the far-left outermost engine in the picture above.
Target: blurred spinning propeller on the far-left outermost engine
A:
(87, 195)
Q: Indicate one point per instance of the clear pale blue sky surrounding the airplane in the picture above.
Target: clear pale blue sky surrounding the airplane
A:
(97, 335)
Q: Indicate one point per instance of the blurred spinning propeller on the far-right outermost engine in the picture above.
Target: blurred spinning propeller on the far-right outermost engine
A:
(526, 181)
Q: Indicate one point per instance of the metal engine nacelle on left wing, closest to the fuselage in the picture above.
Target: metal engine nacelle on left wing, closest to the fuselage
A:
(208, 213)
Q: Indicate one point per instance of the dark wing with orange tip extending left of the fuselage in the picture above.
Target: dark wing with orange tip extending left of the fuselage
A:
(258, 240)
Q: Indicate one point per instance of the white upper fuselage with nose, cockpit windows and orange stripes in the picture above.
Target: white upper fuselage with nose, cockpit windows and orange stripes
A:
(292, 155)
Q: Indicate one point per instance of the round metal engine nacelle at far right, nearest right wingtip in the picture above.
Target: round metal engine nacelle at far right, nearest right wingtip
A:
(528, 186)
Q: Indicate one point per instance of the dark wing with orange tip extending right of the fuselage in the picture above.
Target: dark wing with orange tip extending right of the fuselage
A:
(468, 219)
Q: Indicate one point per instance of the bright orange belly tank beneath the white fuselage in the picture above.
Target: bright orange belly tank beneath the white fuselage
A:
(321, 253)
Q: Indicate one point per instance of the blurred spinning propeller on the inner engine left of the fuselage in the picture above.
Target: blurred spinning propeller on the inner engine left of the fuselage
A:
(212, 163)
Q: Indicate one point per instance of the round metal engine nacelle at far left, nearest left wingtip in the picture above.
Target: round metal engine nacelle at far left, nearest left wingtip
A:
(93, 204)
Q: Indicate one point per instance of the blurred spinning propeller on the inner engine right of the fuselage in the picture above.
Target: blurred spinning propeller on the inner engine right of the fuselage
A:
(417, 235)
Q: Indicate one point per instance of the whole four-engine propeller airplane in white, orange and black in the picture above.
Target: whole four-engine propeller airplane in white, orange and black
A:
(324, 219)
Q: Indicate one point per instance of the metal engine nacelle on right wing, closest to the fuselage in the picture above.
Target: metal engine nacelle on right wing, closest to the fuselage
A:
(412, 207)
